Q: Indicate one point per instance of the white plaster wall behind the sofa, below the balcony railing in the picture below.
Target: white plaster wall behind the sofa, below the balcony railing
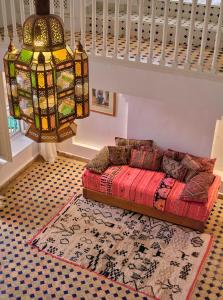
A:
(176, 110)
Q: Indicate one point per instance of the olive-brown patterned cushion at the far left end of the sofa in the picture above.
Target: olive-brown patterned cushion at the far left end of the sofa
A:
(100, 163)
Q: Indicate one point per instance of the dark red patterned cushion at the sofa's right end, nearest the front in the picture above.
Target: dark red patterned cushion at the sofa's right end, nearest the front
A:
(197, 189)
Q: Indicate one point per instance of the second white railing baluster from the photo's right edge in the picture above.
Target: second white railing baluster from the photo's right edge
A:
(204, 34)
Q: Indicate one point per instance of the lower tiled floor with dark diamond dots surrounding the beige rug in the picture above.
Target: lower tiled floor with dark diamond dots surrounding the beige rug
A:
(31, 200)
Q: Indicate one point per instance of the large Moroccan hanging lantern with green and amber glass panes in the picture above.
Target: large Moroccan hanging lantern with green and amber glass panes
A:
(47, 83)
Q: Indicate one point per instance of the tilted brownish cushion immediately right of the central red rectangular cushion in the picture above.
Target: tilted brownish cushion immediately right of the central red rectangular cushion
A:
(173, 168)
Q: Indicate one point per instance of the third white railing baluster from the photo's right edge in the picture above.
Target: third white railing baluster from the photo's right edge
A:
(191, 33)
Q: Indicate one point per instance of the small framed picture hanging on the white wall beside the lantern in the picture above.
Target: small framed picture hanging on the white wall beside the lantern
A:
(103, 102)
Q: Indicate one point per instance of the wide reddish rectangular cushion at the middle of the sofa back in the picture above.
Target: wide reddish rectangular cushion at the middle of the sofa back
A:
(146, 159)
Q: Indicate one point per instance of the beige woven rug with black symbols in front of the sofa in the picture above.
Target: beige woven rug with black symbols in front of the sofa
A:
(156, 258)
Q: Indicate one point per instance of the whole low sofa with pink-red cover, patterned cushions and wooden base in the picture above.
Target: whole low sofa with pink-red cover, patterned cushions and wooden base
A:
(142, 185)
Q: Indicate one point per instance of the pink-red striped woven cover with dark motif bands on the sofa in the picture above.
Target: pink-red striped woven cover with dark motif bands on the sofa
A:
(146, 187)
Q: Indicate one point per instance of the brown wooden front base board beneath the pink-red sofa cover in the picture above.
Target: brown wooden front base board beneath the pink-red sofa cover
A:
(142, 209)
